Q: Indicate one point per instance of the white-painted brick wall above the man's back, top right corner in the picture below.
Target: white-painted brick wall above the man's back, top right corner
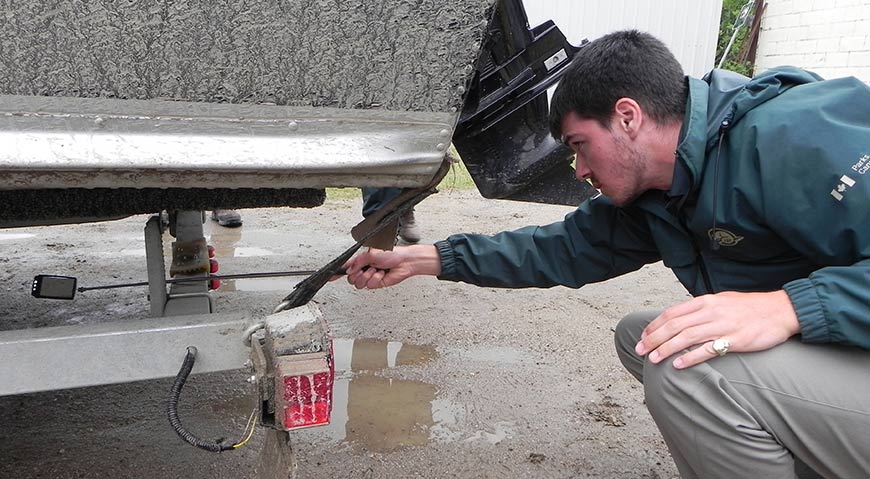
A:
(829, 37)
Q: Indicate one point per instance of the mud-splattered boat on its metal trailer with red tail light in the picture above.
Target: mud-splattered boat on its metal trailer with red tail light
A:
(115, 109)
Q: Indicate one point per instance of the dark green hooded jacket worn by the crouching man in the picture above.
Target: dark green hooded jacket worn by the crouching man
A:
(778, 198)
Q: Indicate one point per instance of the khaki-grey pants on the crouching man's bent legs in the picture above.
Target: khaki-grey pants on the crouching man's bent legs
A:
(754, 414)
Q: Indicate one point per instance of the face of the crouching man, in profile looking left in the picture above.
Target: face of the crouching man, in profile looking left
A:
(605, 157)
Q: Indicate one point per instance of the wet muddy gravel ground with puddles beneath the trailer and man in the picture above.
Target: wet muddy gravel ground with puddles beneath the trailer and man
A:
(434, 379)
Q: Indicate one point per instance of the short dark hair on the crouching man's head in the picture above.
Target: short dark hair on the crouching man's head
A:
(627, 63)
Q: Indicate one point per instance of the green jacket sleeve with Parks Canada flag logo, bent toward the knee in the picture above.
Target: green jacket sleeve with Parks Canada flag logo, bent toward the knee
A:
(817, 173)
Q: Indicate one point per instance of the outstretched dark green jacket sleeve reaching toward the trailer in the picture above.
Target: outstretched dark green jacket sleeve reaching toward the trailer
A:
(593, 243)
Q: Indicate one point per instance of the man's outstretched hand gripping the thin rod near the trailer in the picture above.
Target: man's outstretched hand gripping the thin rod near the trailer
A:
(378, 269)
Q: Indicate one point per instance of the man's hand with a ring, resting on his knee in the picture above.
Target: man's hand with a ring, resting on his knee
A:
(749, 321)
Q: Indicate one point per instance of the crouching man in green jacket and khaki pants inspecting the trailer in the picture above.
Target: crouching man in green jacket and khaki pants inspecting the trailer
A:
(746, 190)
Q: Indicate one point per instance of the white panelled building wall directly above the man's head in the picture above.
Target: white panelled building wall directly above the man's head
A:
(689, 27)
